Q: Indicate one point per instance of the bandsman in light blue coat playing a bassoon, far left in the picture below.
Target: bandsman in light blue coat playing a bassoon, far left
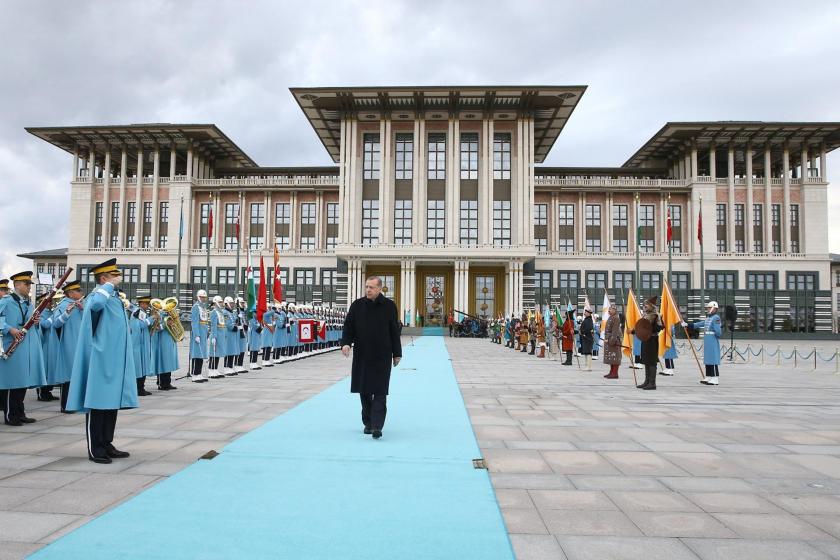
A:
(25, 368)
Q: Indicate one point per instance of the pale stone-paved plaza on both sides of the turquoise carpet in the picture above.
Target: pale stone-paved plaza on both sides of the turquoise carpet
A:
(583, 467)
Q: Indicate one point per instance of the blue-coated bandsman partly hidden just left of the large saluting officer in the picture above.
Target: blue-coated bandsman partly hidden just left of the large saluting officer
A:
(67, 322)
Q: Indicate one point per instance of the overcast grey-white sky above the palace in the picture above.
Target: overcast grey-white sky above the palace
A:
(231, 63)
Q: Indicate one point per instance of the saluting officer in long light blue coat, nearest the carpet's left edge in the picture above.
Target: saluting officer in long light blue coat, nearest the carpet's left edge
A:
(102, 381)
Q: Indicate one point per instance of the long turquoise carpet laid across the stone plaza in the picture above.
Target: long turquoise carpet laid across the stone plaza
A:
(309, 485)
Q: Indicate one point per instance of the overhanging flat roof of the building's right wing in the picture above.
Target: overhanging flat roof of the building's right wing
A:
(673, 138)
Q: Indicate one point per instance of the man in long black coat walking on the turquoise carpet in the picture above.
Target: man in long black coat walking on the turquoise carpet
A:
(372, 329)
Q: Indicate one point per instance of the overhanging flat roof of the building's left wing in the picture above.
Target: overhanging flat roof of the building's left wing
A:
(111, 137)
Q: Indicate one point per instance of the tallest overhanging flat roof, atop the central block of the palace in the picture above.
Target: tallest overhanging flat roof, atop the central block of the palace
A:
(551, 107)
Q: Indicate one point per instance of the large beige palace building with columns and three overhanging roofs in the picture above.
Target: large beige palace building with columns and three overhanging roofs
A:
(441, 192)
